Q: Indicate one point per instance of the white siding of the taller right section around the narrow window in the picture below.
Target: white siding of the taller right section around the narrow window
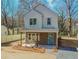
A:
(48, 14)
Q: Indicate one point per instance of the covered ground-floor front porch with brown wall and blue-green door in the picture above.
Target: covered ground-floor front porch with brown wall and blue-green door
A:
(41, 38)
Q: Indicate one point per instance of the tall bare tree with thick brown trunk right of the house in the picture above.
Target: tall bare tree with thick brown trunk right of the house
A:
(69, 9)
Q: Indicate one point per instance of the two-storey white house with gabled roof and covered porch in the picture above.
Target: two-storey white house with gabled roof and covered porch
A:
(41, 23)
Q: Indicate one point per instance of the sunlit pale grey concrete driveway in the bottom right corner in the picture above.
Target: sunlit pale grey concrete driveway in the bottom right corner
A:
(63, 54)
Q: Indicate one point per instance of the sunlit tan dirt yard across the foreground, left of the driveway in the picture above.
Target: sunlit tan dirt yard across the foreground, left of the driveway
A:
(9, 53)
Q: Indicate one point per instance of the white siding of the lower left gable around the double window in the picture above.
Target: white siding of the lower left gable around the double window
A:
(33, 14)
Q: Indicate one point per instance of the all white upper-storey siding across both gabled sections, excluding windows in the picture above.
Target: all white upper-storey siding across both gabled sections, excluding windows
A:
(46, 13)
